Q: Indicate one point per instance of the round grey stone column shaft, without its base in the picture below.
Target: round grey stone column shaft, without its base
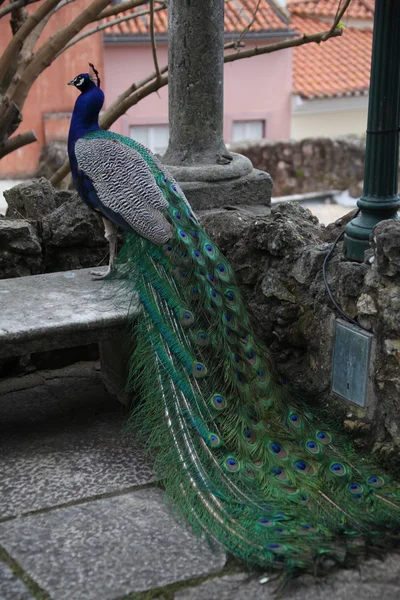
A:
(196, 83)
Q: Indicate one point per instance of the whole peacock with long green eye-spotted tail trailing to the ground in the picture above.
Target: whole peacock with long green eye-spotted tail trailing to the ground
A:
(245, 461)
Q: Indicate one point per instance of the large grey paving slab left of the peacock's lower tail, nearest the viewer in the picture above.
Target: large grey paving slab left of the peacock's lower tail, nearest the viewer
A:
(107, 548)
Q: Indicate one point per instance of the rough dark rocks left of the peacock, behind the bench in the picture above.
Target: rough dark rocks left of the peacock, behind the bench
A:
(48, 230)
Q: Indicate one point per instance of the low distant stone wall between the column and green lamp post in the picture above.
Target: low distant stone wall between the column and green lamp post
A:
(309, 165)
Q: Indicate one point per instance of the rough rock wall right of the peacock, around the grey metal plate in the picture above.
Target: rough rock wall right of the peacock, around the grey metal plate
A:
(278, 259)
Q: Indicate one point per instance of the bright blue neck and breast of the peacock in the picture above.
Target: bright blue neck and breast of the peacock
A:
(85, 118)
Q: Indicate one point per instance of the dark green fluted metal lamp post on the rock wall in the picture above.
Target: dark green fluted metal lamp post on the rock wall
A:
(380, 199)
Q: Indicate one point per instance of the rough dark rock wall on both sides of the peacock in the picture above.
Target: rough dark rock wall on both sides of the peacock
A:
(278, 257)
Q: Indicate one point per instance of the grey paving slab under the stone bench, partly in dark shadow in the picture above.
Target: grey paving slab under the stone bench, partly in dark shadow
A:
(63, 441)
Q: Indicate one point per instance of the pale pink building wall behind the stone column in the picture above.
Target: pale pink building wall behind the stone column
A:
(256, 88)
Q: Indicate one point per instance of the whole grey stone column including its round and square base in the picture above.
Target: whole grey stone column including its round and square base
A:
(197, 155)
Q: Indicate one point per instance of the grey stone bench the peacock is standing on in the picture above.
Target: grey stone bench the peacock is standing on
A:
(67, 309)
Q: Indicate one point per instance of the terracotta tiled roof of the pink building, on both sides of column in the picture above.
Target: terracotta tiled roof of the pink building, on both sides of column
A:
(238, 15)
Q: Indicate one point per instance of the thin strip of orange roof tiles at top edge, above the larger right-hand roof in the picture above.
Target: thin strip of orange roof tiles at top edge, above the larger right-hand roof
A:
(358, 9)
